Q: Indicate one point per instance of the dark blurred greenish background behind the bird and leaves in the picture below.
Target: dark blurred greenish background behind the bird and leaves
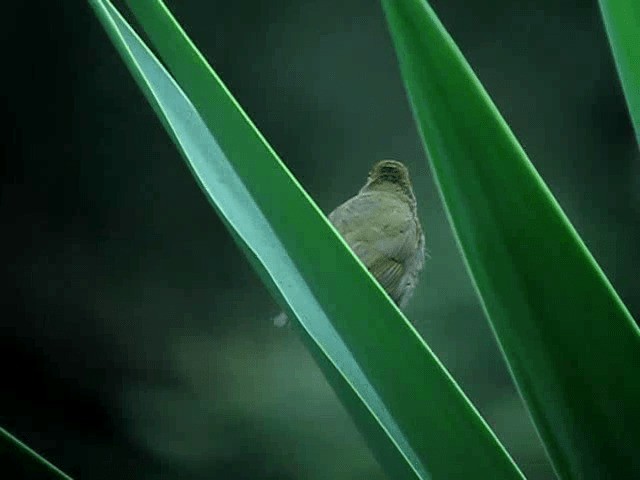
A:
(135, 338)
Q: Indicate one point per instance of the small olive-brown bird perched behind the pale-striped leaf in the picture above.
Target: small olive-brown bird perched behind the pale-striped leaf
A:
(380, 225)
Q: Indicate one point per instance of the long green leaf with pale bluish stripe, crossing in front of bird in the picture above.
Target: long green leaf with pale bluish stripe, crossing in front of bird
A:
(412, 413)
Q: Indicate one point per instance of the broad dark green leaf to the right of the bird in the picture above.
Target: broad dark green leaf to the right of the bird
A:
(571, 345)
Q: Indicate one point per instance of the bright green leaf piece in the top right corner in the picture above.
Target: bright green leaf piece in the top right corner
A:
(622, 21)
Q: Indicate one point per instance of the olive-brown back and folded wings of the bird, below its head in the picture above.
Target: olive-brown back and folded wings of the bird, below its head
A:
(382, 234)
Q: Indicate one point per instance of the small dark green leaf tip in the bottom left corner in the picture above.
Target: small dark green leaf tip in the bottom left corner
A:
(16, 455)
